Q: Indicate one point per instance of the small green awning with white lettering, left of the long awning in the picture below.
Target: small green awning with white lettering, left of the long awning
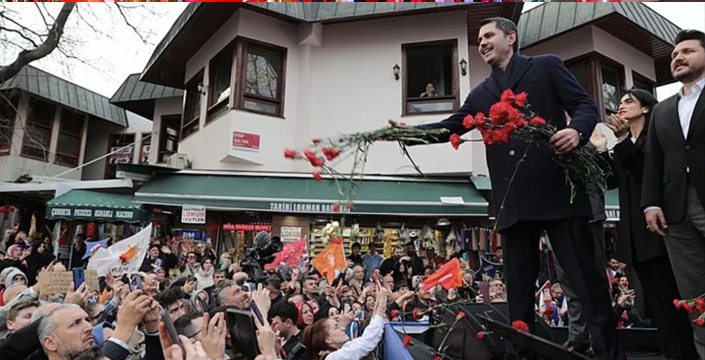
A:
(90, 205)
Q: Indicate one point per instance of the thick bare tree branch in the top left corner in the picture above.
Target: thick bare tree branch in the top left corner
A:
(50, 43)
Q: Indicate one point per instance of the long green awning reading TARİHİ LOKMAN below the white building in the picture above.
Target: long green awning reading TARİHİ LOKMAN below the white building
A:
(305, 195)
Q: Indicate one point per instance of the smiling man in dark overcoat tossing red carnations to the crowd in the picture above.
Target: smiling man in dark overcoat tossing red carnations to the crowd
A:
(529, 188)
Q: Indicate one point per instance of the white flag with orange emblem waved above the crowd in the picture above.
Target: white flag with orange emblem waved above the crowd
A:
(125, 257)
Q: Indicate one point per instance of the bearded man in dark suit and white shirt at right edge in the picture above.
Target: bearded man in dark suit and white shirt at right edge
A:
(673, 191)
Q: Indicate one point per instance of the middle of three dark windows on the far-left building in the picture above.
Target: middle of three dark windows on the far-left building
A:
(37, 135)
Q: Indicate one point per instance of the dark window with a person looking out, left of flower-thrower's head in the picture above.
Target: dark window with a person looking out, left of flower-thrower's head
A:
(430, 72)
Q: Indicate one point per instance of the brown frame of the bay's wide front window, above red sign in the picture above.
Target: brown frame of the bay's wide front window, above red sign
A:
(242, 50)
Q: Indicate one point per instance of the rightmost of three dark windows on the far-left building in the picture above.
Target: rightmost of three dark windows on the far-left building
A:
(68, 147)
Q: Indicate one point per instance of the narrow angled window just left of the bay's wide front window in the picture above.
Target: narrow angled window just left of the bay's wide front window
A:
(219, 82)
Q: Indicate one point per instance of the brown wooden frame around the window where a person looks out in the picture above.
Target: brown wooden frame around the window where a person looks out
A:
(455, 79)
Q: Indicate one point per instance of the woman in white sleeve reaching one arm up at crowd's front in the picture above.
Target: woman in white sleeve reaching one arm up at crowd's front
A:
(326, 340)
